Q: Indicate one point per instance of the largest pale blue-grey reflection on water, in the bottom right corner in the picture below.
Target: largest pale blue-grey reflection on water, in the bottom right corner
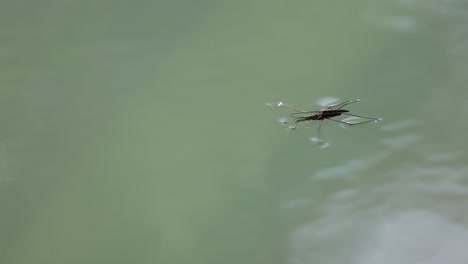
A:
(414, 237)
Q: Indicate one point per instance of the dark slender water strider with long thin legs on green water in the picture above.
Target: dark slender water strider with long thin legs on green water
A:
(328, 113)
